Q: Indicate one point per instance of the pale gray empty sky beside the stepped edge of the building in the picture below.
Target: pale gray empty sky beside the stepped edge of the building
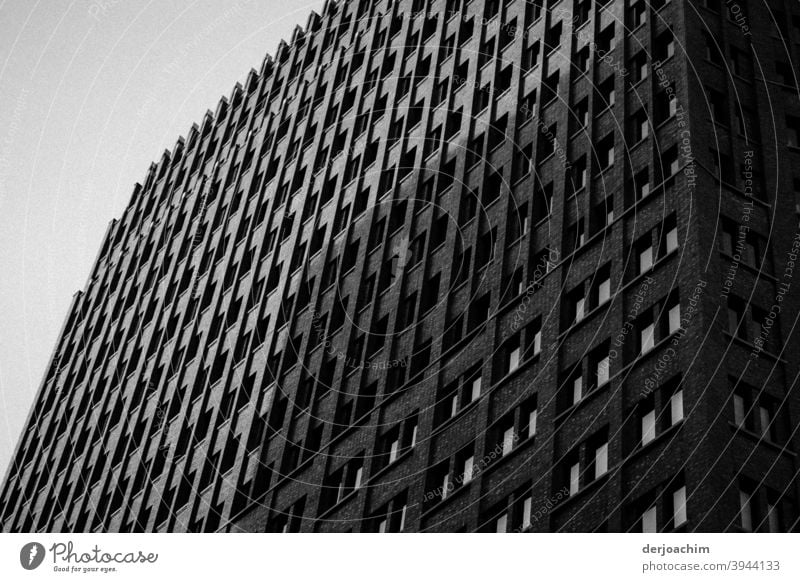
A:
(92, 92)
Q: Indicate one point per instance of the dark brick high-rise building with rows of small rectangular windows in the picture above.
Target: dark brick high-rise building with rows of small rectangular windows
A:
(448, 265)
